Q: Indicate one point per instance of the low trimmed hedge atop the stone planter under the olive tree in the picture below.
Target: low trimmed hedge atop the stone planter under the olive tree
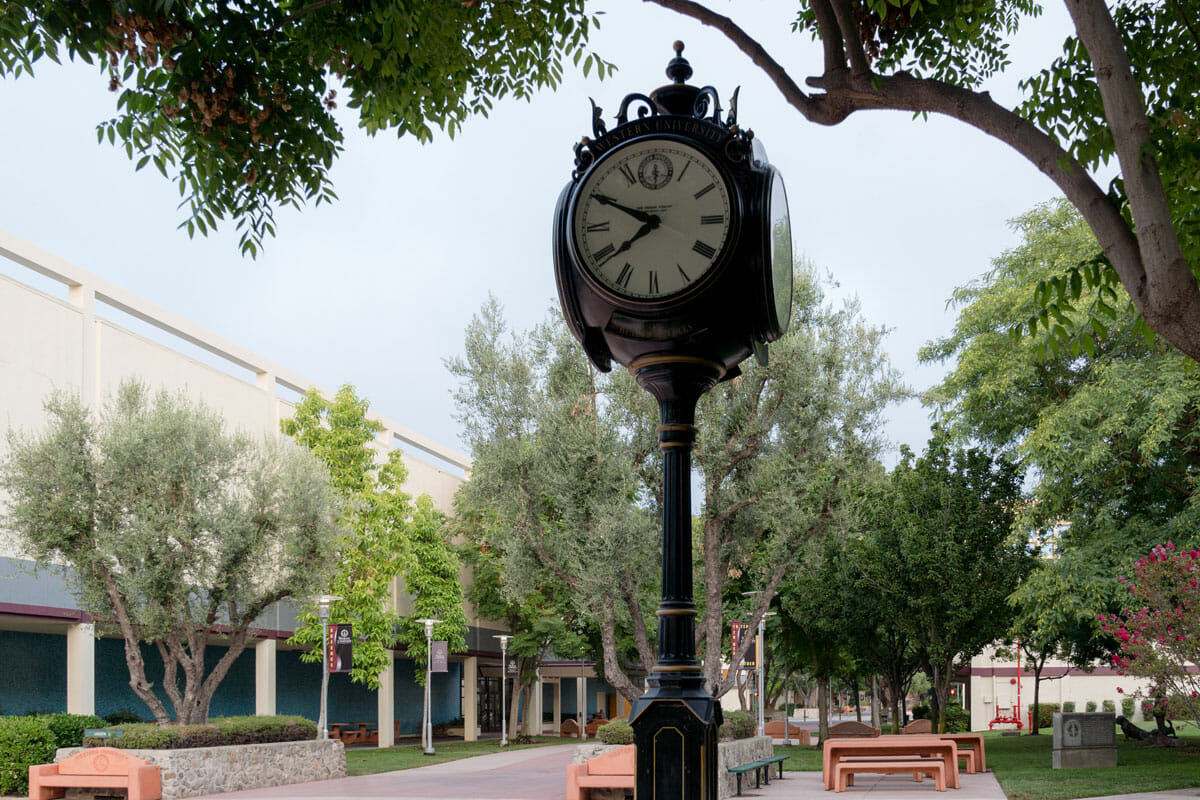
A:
(219, 732)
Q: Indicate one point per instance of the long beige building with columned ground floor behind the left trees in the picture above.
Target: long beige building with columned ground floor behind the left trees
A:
(83, 334)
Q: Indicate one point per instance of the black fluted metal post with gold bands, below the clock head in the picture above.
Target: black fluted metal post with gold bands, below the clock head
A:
(676, 723)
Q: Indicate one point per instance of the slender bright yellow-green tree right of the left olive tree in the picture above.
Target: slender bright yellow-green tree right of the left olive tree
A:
(385, 539)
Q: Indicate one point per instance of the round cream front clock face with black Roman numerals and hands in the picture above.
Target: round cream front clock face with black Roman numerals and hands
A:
(652, 220)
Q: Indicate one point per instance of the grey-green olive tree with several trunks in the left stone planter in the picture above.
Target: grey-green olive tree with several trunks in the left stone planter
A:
(170, 531)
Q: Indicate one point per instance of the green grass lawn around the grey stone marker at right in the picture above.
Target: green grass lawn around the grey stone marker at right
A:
(1022, 765)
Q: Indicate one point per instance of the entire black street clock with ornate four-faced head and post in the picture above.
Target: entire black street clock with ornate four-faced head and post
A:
(679, 339)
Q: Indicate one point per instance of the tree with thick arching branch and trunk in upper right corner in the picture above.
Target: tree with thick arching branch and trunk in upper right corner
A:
(1126, 91)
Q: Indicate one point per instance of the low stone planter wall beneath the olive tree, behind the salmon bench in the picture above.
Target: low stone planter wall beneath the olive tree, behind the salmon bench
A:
(213, 771)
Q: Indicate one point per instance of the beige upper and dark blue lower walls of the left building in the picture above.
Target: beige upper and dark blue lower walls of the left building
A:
(87, 339)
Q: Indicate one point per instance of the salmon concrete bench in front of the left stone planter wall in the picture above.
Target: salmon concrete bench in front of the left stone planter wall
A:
(97, 768)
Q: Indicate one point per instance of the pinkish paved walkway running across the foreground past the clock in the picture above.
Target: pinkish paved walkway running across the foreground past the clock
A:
(539, 774)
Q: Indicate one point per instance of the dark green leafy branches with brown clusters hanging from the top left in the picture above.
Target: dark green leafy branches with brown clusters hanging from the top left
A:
(235, 101)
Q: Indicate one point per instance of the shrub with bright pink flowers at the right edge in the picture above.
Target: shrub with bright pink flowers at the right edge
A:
(1160, 633)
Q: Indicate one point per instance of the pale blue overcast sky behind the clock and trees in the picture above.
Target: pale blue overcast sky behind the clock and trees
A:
(377, 290)
